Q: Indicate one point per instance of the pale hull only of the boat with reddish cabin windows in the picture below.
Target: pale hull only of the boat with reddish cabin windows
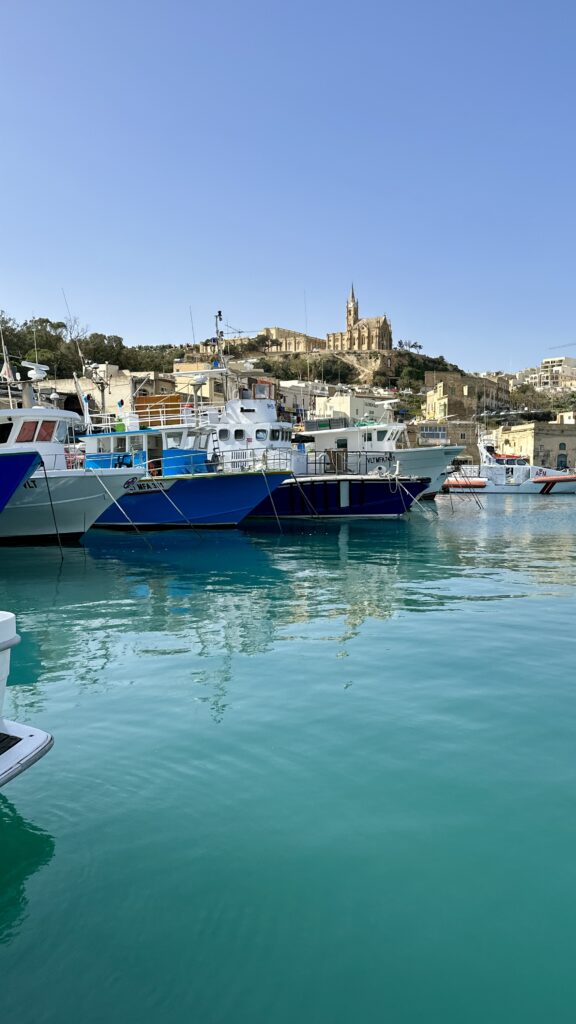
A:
(67, 504)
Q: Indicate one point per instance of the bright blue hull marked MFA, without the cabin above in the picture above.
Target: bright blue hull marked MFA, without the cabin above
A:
(198, 500)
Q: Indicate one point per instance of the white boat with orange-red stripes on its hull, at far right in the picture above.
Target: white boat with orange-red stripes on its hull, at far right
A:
(507, 475)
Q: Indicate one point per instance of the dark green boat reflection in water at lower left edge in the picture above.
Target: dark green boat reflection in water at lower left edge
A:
(24, 850)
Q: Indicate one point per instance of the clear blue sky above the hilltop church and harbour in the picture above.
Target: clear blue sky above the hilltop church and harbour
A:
(243, 156)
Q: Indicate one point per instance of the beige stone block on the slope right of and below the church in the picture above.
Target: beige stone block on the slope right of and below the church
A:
(464, 396)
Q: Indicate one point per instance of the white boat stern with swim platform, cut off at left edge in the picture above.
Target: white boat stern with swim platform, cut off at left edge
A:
(21, 746)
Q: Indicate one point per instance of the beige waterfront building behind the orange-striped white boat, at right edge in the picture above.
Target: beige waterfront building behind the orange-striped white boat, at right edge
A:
(551, 445)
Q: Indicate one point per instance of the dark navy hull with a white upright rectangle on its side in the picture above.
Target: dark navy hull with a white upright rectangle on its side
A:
(341, 498)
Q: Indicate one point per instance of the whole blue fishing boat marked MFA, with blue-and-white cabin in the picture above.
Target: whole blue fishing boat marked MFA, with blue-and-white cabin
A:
(183, 487)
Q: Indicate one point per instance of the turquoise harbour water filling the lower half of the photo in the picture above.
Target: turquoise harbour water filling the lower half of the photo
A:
(320, 778)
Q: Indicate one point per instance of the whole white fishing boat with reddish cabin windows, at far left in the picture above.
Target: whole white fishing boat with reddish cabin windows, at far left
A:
(63, 498)
